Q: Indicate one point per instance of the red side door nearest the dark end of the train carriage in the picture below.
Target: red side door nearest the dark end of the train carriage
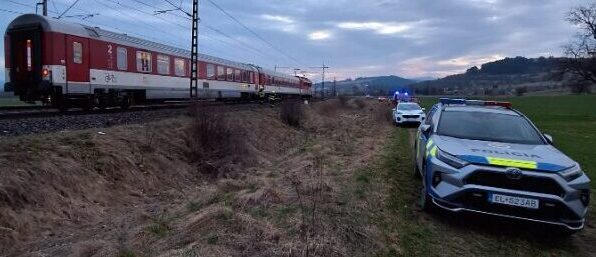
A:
(77, 65)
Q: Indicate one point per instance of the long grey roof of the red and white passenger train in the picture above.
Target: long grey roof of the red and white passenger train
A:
(54, 25)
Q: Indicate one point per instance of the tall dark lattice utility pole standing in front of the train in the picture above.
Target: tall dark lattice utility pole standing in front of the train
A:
(194, 51)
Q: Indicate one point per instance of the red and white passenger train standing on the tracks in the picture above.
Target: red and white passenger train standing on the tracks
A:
(72, 65)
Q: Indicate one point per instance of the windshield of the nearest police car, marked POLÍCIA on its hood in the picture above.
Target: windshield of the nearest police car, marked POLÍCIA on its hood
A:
(488, 126)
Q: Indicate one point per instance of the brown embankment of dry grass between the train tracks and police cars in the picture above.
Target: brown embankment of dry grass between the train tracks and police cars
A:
(149, 190)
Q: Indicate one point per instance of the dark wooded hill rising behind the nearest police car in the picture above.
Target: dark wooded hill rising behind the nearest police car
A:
(501, 77)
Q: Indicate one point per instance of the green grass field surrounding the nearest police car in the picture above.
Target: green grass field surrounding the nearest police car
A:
(570, 120)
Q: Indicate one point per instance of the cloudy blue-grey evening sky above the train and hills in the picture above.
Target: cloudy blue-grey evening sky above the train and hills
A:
(409, 38)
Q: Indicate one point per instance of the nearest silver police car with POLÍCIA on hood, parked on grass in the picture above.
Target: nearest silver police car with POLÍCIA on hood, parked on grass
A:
(485, 157)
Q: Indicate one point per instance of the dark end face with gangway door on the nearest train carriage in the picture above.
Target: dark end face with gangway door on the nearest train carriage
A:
(26, 61)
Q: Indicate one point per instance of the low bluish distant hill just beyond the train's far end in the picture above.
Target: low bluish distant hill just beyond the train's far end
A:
(381, 85)
